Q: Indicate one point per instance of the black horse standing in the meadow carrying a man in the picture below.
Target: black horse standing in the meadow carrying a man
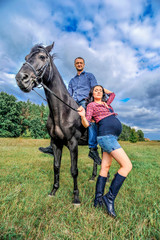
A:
(64, 123)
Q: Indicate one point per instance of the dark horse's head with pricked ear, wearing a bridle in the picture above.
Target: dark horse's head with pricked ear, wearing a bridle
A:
(36, 67)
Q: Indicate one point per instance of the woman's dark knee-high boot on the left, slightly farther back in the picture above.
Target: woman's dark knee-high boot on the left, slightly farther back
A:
(100, 185)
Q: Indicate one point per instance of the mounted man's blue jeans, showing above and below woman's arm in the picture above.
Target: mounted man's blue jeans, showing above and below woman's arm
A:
(92, 129)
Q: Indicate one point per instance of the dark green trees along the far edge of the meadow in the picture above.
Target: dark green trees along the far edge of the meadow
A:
(26, 119)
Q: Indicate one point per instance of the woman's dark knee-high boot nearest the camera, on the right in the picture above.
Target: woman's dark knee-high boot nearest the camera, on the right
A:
(109, 198)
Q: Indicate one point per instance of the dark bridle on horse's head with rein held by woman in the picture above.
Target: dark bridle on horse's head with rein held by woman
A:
(39, 75)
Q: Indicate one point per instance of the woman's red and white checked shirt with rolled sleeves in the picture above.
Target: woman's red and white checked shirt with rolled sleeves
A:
(99, 111)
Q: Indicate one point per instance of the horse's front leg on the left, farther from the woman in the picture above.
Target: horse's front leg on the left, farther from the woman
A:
(57, 149)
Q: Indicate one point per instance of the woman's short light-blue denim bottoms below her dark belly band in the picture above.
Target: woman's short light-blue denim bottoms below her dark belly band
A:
(108, 143)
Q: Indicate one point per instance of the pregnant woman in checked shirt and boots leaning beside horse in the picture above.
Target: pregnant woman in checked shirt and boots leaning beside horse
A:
(109, 128)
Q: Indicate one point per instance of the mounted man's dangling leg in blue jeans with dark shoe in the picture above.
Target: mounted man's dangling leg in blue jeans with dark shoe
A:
(92, 142)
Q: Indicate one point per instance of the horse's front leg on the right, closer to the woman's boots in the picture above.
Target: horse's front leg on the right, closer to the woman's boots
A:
(73, 147)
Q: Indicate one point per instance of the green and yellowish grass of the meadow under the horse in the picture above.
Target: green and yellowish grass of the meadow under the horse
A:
(26, 211)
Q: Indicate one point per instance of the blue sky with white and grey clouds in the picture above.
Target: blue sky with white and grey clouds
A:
(120, 41)
